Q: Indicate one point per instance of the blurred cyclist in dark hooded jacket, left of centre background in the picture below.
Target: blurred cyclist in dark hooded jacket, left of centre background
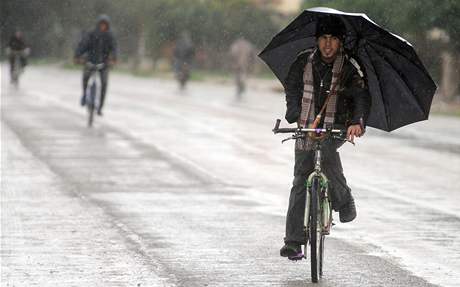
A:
(99, 46)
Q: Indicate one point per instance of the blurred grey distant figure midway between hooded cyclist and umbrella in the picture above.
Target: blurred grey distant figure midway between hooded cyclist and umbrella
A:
(184, 53)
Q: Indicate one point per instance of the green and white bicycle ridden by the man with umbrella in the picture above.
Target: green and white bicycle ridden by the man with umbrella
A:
(318, 209)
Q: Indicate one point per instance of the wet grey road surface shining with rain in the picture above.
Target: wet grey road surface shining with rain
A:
(172, 189)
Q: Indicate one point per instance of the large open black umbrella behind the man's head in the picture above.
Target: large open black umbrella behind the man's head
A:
(400, 87)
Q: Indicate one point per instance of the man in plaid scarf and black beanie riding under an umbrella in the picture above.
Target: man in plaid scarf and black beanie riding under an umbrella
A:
(324, 80)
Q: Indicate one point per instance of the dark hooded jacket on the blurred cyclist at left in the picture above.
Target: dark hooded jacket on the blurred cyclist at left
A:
(98, 46)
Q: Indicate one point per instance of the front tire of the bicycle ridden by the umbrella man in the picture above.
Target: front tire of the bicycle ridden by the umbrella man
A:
(315, 232)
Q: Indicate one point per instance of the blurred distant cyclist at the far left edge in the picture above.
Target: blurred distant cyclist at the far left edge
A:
(17, 52)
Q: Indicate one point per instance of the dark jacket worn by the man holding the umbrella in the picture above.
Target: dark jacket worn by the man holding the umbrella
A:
(353, 102)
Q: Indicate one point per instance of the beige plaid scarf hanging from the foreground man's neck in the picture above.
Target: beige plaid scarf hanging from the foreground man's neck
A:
(307, 115)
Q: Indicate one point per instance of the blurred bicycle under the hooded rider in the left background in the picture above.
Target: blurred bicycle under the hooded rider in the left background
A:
(93, 90)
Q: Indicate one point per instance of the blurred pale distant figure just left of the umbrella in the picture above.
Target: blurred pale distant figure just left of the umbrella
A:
(242, 54)
